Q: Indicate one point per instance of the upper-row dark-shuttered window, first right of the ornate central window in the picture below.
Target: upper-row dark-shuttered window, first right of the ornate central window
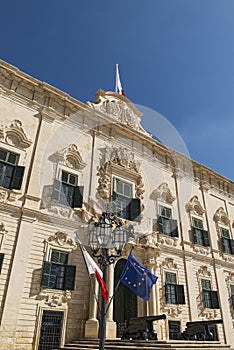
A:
(167, 225)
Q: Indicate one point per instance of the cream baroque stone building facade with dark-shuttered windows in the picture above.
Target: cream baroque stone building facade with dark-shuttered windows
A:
(60, 163)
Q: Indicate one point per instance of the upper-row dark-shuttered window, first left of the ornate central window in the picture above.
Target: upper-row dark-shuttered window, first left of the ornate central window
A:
(67, 192)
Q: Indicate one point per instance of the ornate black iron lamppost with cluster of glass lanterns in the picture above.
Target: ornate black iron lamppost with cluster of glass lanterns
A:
(107, 239)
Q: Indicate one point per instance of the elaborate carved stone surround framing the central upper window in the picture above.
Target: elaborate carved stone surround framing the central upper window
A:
(122, 159)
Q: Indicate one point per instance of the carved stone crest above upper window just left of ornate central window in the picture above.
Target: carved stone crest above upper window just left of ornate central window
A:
(70, 157)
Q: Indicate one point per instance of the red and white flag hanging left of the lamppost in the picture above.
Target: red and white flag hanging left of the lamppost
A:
(94, 269)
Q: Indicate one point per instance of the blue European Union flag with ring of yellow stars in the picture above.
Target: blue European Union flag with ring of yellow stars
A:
(137, 278)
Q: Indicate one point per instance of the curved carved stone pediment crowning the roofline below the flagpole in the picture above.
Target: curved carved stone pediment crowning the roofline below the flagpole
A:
(117, 107)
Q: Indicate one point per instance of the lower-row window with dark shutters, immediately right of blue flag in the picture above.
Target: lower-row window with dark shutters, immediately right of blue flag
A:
(174, 292)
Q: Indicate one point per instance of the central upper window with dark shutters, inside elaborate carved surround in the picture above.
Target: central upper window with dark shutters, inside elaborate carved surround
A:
(124, 205)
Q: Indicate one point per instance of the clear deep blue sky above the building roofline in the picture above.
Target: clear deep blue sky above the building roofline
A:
(176, 57)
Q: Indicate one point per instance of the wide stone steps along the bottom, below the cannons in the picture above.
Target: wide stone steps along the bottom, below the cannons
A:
(146, 345)
